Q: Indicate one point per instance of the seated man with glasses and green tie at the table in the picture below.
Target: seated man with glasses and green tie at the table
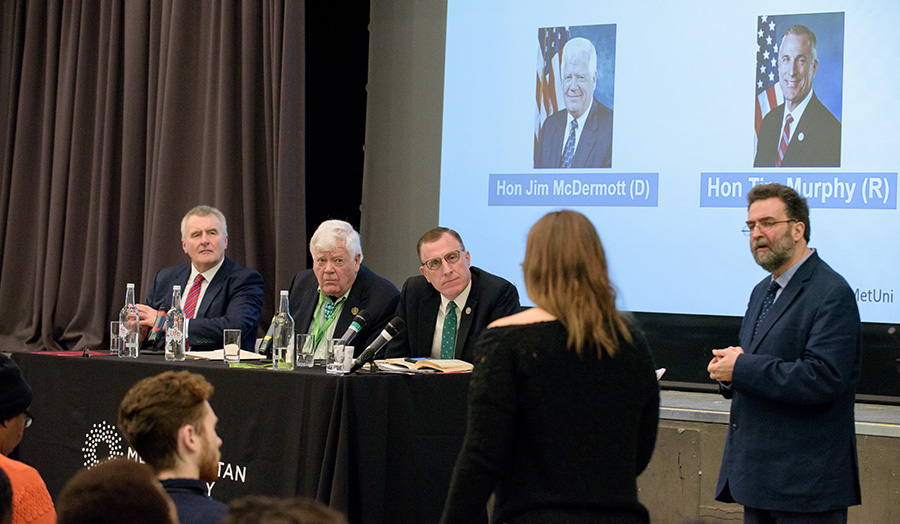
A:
(450, 303)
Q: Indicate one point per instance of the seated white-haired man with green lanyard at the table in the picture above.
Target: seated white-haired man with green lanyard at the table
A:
(325, 299)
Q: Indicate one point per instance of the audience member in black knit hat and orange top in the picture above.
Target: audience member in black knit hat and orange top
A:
(31, 500)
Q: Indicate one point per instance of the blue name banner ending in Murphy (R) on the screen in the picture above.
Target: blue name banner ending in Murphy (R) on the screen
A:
(822, 190)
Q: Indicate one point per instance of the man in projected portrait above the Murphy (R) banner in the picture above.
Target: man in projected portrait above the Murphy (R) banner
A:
(801, 131)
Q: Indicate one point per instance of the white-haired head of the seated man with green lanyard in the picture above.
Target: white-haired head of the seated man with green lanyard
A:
(337, 254)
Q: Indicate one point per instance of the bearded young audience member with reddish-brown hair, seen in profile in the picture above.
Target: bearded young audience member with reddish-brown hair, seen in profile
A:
(167, 419)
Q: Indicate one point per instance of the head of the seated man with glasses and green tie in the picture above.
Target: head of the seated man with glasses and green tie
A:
(444, 261)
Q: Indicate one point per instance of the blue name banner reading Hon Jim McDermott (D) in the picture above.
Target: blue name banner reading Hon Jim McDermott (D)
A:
(586, 189)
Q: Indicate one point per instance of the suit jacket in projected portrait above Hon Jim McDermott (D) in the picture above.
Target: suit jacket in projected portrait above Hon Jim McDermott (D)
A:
(594, 148)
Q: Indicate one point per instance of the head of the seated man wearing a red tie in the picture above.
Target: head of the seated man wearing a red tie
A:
(204, 236)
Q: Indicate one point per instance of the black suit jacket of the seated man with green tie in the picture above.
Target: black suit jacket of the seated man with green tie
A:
(490, 298)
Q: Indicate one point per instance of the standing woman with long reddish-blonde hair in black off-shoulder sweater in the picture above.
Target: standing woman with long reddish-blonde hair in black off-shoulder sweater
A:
(563, 401)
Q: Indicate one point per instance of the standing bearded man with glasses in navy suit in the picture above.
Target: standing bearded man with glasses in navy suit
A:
(790, 453)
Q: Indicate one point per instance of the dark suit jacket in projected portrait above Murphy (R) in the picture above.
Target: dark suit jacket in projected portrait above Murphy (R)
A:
(816, 141)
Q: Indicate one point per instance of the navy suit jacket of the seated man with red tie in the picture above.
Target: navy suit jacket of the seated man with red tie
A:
(233, 300)
